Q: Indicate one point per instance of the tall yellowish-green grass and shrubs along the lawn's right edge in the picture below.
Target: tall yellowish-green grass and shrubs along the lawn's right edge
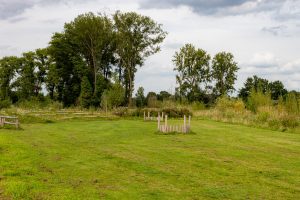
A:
(259, 111)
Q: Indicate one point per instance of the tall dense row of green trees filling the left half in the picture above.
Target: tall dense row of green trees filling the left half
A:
(95, 57)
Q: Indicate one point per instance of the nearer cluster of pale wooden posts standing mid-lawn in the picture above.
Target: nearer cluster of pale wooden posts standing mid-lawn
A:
(165, 128)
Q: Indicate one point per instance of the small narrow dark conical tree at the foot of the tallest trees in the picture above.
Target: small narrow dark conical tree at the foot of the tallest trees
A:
(86, 93)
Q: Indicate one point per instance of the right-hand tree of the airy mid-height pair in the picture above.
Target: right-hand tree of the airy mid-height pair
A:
(224, 70)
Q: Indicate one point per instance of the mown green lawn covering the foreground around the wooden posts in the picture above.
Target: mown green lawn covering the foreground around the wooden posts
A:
(127, 159)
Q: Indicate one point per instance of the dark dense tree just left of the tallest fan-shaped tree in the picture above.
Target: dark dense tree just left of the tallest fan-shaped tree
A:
(64, 78)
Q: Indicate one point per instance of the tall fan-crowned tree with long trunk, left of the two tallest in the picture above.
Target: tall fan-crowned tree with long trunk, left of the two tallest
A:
(93, 36)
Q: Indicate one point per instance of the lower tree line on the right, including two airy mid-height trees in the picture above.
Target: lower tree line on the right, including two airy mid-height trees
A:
(201, 78)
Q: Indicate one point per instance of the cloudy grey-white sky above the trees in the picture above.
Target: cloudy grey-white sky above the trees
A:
(263, 35)
